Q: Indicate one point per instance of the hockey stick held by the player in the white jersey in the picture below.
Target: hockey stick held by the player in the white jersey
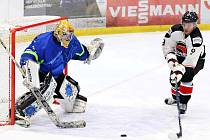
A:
(177, 135)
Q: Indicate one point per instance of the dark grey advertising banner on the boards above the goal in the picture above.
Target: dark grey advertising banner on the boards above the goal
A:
(70, 8)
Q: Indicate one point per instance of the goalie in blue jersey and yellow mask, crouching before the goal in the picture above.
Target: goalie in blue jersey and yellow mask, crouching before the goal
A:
(44, 61)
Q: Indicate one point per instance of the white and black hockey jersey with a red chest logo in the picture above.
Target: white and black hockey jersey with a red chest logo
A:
(188, 54)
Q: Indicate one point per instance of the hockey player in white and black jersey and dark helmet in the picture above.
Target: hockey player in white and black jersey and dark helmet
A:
(185, 54)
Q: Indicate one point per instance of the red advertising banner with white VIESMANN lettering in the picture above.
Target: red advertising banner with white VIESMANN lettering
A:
(148, 12)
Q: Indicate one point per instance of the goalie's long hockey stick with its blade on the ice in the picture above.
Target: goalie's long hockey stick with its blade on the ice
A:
(43, 102)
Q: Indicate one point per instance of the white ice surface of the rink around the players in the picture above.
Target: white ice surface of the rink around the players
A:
(126, 88)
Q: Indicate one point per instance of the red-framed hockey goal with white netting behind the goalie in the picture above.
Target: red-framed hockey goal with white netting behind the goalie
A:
(12, 33)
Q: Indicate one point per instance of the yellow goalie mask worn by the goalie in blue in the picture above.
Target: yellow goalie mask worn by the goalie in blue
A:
(64, 33)
